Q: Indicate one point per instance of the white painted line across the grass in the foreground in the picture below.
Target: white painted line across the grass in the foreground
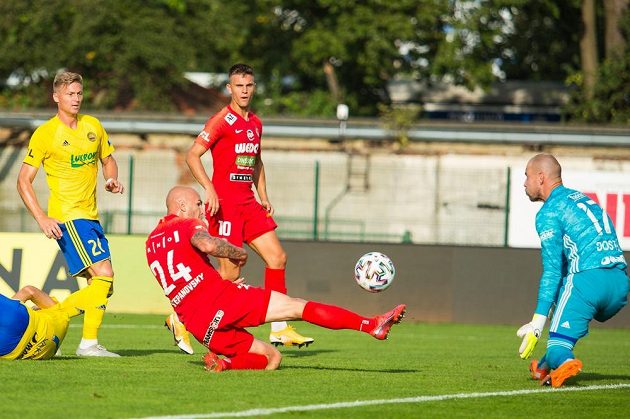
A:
(359, 403)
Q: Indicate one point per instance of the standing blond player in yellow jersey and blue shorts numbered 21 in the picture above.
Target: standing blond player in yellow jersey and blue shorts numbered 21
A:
(69, 147)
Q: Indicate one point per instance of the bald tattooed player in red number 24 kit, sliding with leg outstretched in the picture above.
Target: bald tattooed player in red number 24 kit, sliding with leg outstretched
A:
(217, 311)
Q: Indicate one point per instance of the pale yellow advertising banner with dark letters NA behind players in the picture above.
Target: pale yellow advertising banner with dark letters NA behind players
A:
(32, 259)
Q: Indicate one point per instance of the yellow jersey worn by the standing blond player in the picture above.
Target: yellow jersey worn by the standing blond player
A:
(70, 159)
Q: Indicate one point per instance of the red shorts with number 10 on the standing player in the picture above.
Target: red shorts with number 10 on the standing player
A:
(242, 222)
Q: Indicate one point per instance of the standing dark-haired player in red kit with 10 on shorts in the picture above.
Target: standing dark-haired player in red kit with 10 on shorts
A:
(234, 137)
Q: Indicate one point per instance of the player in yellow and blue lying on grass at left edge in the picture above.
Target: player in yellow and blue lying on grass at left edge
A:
(37, 333)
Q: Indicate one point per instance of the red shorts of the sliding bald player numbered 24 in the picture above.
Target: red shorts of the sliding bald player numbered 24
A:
(220, 325)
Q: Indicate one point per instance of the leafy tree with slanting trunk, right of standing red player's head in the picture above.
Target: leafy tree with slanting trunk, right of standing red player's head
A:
(361, 45)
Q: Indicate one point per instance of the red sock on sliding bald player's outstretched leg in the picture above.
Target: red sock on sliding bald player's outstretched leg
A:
(333, 317)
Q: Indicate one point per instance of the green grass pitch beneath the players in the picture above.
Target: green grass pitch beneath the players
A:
(423, 370)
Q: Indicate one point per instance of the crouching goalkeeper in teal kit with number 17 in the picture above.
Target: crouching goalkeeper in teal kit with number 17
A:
(584, 271)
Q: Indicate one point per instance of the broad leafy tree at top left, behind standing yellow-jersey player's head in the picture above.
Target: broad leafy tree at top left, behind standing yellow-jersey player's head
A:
(132, 54)
